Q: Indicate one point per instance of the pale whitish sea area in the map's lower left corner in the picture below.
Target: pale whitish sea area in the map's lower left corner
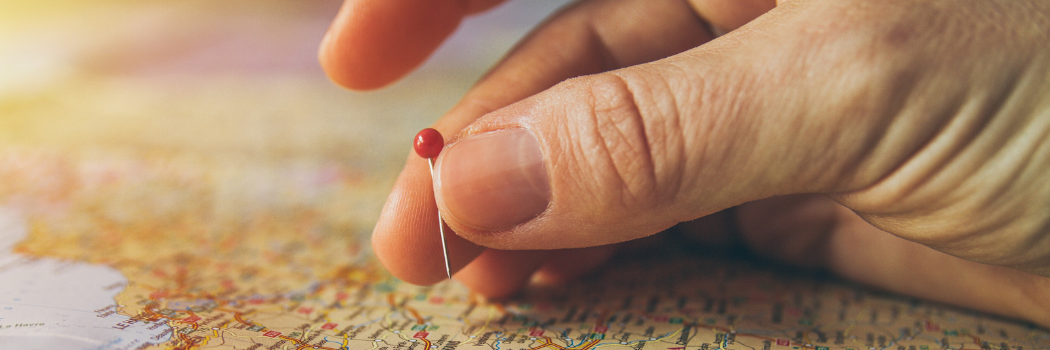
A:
(52, 304)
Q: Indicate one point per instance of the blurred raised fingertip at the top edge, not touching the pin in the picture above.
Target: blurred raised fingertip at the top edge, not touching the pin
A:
(373, 44)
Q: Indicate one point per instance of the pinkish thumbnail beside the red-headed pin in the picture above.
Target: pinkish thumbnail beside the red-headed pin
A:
(495, 181)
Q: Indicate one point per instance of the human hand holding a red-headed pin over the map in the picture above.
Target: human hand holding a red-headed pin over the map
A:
(828, 123)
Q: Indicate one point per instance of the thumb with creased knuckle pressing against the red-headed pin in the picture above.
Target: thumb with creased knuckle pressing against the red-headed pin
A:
(618, 156)
